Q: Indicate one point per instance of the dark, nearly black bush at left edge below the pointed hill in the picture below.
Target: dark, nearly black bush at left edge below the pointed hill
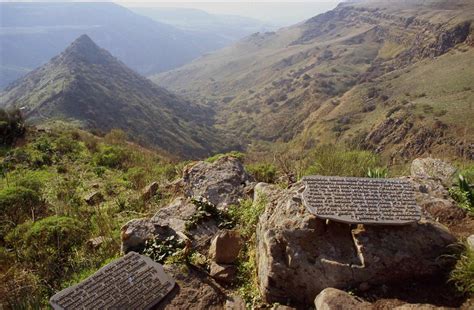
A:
(12, 126)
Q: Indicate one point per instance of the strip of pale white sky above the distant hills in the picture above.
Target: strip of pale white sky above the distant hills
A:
(274, 13)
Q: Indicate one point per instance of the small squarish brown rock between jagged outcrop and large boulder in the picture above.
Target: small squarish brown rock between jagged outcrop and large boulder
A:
(225, 247)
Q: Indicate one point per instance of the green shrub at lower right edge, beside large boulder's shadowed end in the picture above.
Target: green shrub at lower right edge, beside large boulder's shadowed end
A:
(463, 273)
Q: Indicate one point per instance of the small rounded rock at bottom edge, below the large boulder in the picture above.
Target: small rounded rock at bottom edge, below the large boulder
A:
(334, 299)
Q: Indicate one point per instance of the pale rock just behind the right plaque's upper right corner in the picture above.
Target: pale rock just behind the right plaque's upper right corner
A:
(433, 168)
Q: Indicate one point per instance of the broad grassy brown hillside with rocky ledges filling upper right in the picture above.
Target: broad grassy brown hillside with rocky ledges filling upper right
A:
(388, 76)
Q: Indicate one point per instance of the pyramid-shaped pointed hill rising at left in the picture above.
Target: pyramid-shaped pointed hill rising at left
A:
(88, 85)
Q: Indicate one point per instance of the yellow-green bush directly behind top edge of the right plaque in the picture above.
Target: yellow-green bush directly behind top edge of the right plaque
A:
(330, 160)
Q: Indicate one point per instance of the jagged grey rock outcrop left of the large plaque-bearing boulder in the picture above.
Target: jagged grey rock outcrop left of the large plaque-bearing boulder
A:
(223, 183)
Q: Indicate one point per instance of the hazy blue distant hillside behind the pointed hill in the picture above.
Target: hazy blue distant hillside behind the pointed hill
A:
(143, 44)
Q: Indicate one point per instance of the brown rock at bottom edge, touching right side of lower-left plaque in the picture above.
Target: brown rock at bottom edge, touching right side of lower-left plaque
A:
(194, 290)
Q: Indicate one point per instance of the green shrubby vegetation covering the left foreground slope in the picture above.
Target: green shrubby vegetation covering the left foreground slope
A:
(46, 222)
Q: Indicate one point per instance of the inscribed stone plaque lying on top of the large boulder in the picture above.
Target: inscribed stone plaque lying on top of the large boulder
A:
(361, 200)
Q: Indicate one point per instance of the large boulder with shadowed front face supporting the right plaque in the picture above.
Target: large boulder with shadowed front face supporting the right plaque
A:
(299, 255)
